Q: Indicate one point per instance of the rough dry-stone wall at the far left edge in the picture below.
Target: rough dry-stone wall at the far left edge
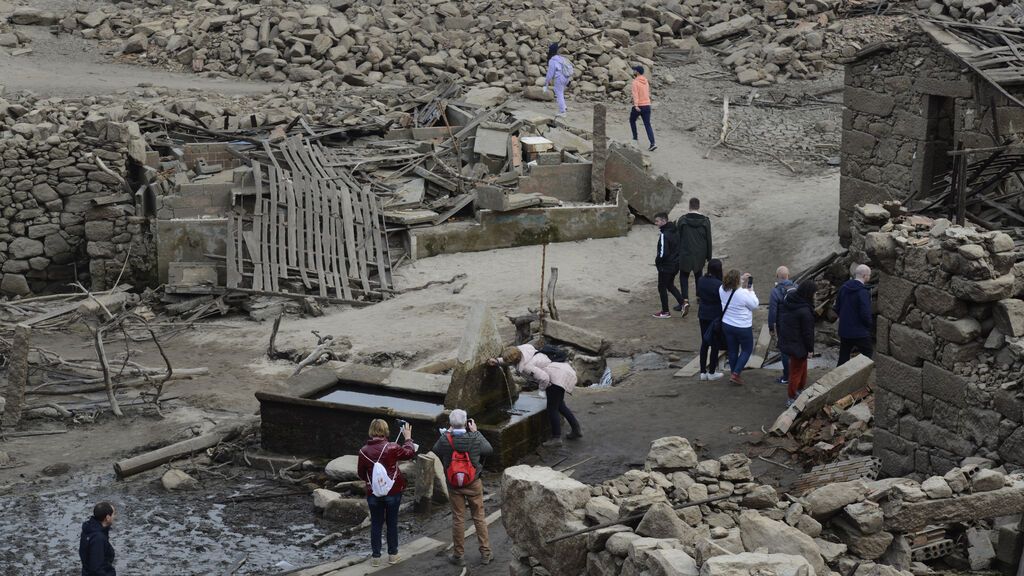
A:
(64, 219)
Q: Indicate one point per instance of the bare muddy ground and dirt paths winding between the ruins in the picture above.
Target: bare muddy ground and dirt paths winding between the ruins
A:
(763, 215)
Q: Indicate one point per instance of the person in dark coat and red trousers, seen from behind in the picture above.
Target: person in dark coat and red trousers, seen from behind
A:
(796, 334)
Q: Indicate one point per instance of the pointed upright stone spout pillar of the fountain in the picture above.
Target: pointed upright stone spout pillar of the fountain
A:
(477, 387)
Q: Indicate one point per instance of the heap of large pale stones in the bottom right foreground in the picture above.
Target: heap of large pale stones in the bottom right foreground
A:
(827, 531)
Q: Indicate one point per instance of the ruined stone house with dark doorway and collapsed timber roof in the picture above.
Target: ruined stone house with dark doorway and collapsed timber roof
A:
(905, 108)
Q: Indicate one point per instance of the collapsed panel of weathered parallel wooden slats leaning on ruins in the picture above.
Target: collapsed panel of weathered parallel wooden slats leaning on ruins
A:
(308, 223)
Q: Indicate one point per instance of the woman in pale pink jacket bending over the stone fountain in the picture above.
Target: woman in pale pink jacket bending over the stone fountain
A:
(554, 379)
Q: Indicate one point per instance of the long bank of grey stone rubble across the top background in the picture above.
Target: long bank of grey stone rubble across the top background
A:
(414, 43)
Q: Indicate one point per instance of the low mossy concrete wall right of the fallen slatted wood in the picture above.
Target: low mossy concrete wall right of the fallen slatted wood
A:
(524, 228)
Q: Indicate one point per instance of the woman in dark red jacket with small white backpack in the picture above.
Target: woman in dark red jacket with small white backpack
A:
(378, 467)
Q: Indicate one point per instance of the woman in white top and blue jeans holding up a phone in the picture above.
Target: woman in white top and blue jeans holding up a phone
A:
(739, 304)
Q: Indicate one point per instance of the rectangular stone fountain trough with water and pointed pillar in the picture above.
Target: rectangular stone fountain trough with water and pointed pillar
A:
(326, 412)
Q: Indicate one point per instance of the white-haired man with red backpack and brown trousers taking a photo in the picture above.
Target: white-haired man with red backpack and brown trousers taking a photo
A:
(460, 450)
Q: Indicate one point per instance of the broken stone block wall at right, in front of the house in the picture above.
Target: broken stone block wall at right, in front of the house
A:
(950, 345)
